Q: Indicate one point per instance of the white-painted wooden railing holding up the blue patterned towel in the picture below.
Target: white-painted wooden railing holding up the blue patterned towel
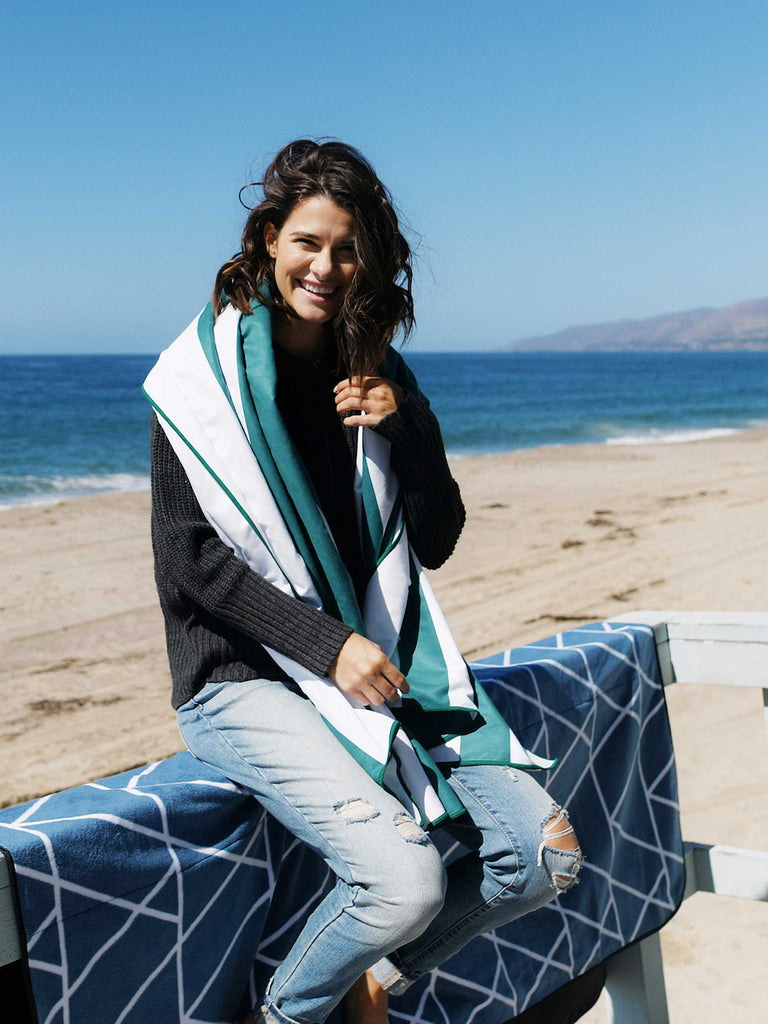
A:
(712, 649)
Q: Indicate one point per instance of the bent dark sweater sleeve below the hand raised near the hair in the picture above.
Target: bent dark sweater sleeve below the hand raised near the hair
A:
(434, 509)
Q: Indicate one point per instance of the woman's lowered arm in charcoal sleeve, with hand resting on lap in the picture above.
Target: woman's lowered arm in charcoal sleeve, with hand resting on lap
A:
(191, 557)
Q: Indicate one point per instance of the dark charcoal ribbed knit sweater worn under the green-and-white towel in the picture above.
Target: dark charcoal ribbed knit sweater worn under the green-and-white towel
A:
(219, 613)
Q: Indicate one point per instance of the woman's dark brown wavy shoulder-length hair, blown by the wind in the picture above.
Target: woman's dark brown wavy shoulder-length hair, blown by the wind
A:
(379, 302)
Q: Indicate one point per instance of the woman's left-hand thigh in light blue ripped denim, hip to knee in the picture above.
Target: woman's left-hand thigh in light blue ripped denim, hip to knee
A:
(274, 743)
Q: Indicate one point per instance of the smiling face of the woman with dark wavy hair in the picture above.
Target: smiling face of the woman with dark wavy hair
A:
(315, 261)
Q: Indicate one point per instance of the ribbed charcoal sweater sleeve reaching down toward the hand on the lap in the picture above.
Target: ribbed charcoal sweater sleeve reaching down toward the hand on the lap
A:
(195, 567)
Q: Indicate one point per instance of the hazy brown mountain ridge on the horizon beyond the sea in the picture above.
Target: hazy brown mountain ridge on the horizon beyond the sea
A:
(743, 326)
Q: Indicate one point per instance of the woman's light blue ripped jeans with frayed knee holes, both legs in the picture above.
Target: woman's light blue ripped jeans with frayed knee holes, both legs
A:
(395, 909)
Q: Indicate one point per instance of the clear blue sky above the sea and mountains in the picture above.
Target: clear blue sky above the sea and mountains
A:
(561, 163)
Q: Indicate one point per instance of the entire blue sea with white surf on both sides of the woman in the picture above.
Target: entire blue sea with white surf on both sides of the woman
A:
(79, 424)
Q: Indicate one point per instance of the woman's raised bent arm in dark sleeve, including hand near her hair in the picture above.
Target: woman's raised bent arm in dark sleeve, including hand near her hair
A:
(434, 508)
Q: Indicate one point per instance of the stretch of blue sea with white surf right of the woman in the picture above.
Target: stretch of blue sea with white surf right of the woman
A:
(499, 402)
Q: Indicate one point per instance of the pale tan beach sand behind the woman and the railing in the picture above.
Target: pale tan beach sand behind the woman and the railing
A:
(556, 537)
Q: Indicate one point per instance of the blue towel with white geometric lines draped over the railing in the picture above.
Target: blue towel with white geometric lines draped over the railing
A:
(146, 895)
